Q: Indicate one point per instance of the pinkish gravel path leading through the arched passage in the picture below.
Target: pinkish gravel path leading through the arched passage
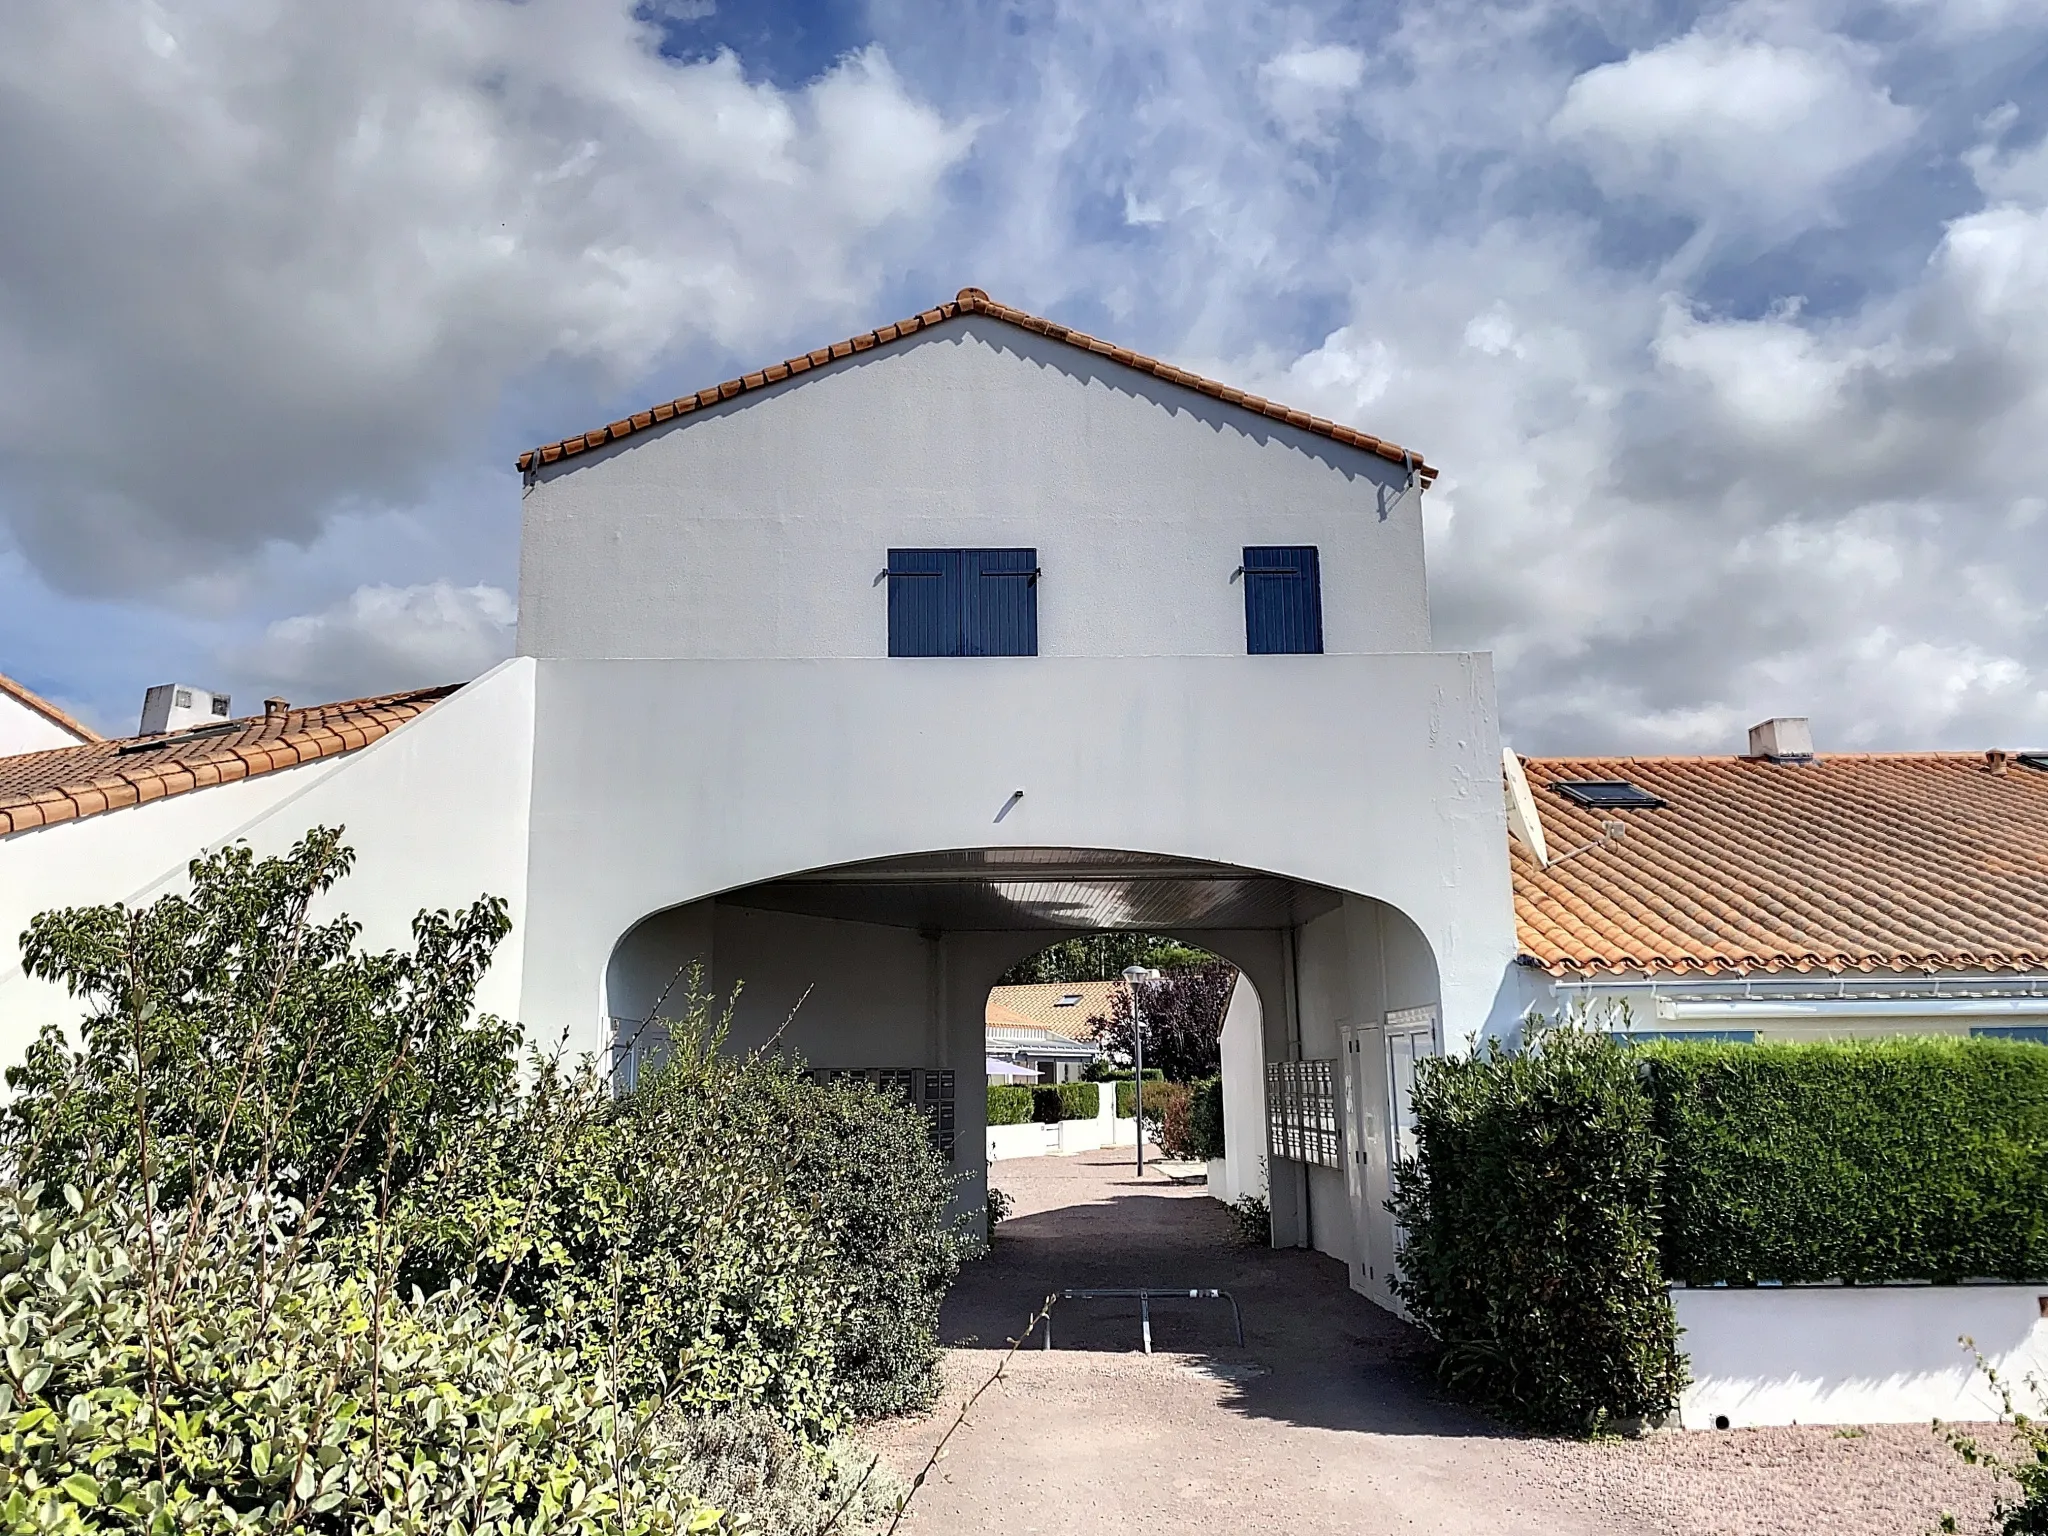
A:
(1328, 1420)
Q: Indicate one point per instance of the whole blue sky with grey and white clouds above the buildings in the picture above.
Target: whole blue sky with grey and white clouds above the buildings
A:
(1730, 327)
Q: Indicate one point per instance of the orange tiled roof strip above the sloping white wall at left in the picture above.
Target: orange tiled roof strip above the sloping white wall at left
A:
(40, 790)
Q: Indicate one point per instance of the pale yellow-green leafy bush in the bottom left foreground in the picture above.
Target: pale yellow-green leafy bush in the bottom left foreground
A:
(200, 1377)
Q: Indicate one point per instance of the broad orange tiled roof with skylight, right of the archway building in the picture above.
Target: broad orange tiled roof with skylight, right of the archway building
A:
(1846, 863)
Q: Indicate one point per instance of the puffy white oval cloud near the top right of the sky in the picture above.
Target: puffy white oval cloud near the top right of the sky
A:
(1734, 128)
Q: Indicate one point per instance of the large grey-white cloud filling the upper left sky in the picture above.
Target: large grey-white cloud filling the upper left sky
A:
(271, 259)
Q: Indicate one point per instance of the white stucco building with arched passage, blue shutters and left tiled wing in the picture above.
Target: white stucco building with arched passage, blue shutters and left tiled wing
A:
(777, 642)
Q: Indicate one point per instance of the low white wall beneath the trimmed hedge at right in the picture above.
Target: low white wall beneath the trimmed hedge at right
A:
(1857, 1355)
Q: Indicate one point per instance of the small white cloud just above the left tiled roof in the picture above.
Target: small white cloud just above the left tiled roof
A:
(380, 640)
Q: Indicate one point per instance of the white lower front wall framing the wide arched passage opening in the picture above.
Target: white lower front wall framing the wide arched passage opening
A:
(663, 783)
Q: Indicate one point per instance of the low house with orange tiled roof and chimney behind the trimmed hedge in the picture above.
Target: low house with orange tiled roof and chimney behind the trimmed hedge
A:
(1787, 894)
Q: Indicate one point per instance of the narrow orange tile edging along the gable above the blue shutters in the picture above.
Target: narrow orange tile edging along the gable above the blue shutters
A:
(972, 302)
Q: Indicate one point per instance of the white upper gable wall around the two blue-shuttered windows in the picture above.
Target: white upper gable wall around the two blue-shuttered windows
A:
(757, 529)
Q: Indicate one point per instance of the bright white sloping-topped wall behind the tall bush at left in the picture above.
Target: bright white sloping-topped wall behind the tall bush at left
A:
(437, 814)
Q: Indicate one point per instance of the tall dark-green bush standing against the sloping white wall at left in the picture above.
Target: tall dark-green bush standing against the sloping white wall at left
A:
(278, 1050)
